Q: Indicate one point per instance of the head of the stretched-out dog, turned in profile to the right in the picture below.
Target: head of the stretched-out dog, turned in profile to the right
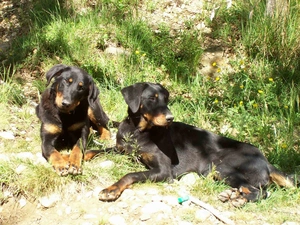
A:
(149, 102)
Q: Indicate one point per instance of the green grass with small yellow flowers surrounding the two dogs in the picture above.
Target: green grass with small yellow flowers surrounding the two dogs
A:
(255, 98)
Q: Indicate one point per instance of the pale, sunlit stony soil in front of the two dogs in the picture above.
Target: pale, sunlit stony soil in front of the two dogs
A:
(80, 205)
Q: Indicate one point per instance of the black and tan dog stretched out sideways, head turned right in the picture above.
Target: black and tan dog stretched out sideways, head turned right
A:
(170, 149)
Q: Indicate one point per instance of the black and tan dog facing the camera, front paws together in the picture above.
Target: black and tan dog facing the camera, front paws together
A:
(67, 110)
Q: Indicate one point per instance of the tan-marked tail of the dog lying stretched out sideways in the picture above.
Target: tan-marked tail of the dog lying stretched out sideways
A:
(279, 178)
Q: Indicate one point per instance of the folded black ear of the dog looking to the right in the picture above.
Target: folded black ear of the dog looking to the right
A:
(132, 95)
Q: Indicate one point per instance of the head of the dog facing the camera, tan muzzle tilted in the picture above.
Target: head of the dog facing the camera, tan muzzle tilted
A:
(71, 86)
